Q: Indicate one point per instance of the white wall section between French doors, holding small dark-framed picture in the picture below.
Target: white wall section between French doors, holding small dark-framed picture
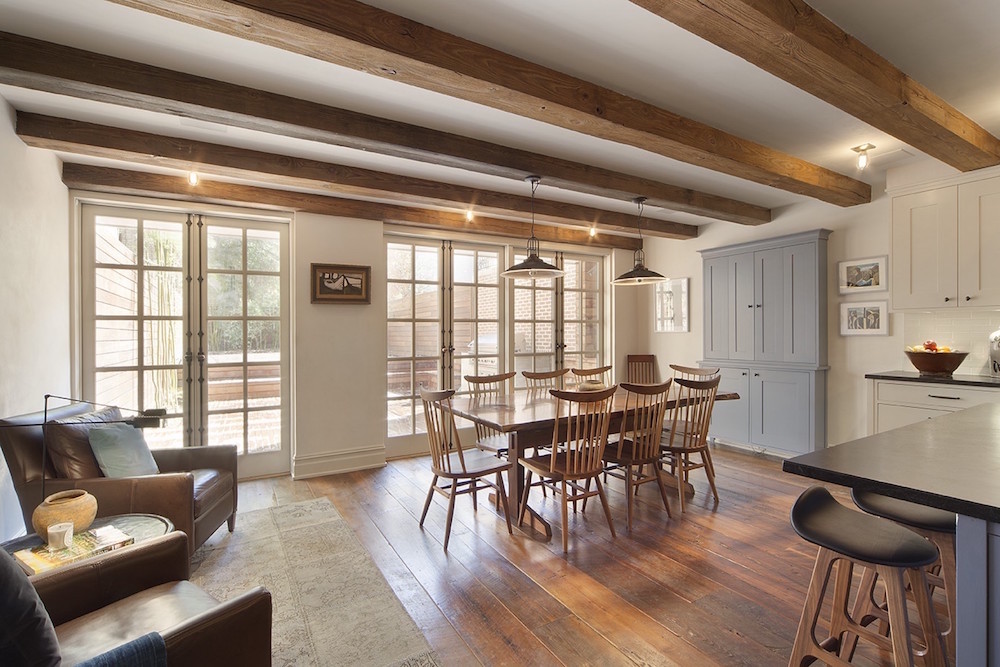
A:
(339, 352)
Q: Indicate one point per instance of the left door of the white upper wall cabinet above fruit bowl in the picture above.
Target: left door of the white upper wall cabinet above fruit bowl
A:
(924, 262)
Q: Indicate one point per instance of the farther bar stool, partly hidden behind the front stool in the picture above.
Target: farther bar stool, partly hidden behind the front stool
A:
(936, 525)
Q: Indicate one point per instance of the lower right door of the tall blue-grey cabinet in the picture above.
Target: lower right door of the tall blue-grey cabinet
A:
(780, 411)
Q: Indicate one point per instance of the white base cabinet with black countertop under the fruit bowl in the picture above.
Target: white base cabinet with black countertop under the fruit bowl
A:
(895, 401)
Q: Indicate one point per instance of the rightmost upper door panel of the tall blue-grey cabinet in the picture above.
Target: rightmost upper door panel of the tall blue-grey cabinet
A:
(801, 316)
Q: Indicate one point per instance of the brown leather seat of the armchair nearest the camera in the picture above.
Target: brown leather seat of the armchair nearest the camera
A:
(153, 610)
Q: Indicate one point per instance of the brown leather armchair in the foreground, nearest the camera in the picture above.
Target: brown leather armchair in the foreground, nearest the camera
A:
(105, 601)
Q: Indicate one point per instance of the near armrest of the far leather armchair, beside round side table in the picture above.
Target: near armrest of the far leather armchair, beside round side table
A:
(170, 495)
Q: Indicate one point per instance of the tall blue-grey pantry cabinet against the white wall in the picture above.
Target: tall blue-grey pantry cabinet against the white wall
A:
(765, 328)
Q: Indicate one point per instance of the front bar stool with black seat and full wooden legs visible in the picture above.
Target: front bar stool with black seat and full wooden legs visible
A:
(847, 538)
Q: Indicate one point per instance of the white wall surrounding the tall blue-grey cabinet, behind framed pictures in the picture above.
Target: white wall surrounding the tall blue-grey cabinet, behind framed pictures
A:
(860, 231)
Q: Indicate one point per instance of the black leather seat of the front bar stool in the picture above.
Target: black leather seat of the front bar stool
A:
(818, 518)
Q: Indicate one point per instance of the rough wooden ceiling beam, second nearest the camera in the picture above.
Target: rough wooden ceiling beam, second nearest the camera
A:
(370, 40)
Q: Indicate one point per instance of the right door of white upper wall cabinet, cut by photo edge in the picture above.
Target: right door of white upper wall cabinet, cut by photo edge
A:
(979, 243)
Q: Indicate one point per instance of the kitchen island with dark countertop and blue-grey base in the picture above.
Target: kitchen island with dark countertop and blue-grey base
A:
(951, 462)
